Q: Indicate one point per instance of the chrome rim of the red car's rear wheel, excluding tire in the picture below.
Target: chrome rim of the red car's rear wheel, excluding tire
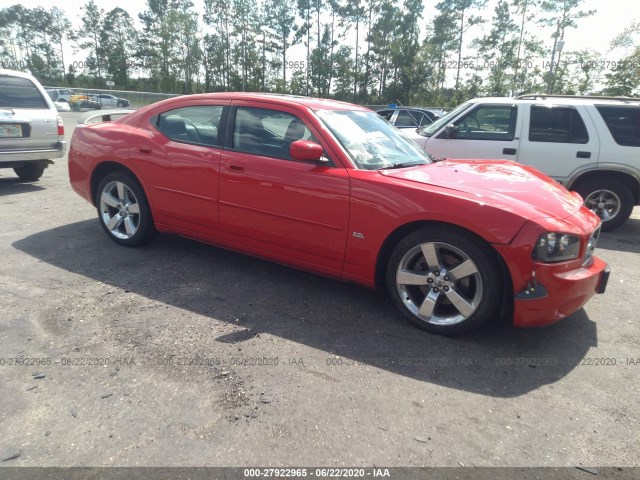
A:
(119, 210)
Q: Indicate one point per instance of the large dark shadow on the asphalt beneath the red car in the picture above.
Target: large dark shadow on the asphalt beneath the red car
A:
(353, 323)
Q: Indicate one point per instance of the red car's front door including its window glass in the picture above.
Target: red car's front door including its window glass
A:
(295, 211)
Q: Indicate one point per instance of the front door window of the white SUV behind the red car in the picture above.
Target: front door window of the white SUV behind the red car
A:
(489, 122)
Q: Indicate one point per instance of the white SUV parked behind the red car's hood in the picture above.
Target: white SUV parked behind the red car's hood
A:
(589, 144)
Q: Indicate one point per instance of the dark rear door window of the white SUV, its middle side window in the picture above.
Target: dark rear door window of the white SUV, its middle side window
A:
(557, 125)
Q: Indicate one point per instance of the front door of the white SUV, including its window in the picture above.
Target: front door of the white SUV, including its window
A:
(485, 131)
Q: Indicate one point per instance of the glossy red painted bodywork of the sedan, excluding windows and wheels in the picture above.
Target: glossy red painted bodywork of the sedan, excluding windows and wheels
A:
(307, 214)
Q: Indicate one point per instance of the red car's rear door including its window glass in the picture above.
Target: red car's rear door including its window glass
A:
(181, 164)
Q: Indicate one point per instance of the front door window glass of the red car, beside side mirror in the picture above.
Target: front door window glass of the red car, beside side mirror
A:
(267, 132)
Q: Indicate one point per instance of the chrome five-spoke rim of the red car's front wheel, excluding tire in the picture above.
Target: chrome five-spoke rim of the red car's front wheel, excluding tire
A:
(439, 283)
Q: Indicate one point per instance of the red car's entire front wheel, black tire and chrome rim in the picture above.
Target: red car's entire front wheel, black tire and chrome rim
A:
(456, 305)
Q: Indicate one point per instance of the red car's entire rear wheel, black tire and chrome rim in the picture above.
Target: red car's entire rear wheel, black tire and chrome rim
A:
(127, 208)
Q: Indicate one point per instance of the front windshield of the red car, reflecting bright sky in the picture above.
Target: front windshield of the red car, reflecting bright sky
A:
(370, 141)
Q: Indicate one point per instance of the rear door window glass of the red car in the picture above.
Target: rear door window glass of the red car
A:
(199, 125)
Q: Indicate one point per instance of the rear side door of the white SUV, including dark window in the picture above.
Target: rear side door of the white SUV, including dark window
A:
(558, 140)
